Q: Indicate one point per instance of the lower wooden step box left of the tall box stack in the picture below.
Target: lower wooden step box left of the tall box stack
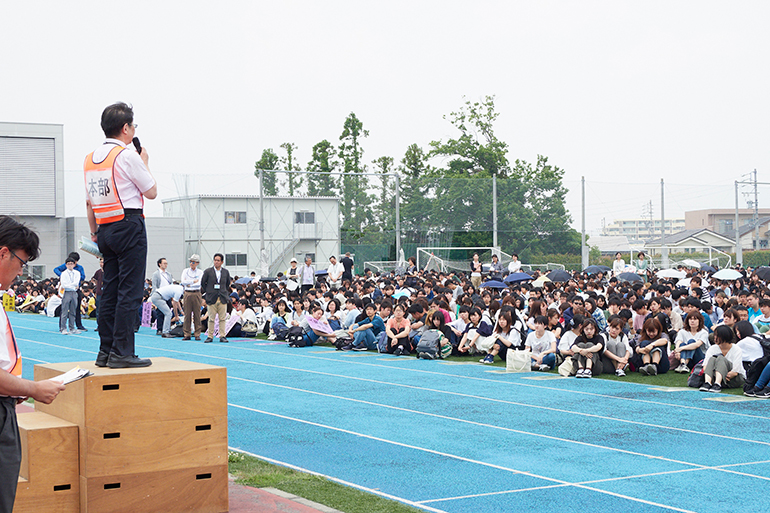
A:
(48, 477)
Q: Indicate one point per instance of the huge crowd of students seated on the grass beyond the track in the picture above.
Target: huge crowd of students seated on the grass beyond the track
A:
(594, 324)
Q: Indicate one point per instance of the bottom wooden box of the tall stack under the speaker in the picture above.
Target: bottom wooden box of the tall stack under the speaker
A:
(200, 490)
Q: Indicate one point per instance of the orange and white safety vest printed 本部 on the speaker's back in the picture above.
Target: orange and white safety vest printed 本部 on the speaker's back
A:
(100, 187)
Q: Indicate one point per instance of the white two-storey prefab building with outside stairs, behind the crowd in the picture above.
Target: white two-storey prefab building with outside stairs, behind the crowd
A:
(230, 225)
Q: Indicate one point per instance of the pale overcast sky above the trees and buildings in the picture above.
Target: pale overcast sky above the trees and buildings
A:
(623, 93)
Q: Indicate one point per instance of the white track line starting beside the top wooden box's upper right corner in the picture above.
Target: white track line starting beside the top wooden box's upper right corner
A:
(494, 426)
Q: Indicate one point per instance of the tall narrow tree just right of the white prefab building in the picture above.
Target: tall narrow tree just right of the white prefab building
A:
(355, 199)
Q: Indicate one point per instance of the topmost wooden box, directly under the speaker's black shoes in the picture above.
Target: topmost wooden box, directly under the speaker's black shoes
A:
(169, 389)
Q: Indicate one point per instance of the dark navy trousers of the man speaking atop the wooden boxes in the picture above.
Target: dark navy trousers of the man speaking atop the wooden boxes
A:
(124, 247)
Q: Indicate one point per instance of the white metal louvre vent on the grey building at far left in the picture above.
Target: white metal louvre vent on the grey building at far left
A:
(27, 176)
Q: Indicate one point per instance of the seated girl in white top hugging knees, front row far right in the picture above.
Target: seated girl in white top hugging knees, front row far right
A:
(723, 363)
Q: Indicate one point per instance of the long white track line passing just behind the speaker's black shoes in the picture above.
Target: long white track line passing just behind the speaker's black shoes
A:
(458, 394)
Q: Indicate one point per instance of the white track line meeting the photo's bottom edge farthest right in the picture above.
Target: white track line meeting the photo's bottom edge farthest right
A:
(461, 458)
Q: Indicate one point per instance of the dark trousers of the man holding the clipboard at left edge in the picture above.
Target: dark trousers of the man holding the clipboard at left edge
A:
(10, 453)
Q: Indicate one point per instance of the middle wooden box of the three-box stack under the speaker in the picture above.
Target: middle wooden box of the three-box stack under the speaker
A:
(154, 446)
